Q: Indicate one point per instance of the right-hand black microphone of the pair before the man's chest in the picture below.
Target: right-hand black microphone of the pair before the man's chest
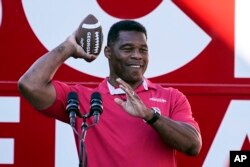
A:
(96, 107)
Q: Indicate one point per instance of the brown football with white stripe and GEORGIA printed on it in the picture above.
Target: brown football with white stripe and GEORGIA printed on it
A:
(89, 35)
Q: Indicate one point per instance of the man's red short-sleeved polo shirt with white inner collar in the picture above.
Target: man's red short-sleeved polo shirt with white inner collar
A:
(121, 140)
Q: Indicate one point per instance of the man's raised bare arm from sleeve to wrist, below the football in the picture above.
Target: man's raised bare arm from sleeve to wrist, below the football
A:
(35, 84)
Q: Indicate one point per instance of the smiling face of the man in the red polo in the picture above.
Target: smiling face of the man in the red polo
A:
(128, 56)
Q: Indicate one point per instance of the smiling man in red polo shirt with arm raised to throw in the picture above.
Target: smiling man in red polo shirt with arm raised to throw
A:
(142, 123)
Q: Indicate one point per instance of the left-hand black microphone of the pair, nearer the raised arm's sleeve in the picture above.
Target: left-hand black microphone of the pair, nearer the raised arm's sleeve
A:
(72, 107)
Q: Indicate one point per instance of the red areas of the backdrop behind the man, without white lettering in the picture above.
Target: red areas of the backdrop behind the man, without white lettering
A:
(208, 80)
